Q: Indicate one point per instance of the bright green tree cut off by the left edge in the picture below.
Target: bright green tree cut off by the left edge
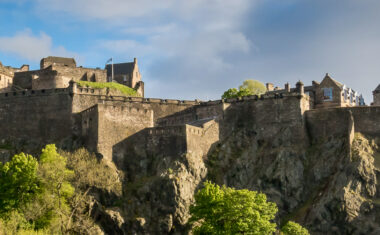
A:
(18, 182)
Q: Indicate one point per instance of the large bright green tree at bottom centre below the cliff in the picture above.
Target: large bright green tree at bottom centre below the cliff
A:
(223, 210)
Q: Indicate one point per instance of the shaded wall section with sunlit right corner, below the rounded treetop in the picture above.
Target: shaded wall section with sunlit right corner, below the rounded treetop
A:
(267, 116)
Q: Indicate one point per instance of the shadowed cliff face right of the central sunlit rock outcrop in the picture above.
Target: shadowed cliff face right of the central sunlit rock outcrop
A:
(329, 187)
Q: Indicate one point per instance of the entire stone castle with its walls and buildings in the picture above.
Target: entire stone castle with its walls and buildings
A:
(48, 106)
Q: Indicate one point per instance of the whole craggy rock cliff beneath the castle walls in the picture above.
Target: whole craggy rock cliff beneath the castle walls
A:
(328, 186)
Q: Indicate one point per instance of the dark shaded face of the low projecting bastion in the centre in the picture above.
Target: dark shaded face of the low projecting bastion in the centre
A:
(158, 145)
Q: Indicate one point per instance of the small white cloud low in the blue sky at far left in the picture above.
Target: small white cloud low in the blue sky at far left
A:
(31, 47)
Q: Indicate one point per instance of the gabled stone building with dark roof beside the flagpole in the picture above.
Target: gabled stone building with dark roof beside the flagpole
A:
(127, 74)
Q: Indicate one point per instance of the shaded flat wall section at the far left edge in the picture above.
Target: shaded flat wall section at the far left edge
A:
(36, 117)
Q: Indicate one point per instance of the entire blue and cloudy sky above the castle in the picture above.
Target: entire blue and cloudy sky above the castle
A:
(198, 49)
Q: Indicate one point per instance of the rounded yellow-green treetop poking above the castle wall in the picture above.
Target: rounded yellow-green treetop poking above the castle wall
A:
(249, 87)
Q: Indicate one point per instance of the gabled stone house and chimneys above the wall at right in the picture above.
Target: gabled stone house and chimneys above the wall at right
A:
(327, 93)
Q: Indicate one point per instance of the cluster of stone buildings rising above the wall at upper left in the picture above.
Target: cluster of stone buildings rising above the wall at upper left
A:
(57, 72)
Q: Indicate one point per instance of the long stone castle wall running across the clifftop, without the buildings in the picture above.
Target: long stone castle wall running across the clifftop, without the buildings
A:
(106, 123)
